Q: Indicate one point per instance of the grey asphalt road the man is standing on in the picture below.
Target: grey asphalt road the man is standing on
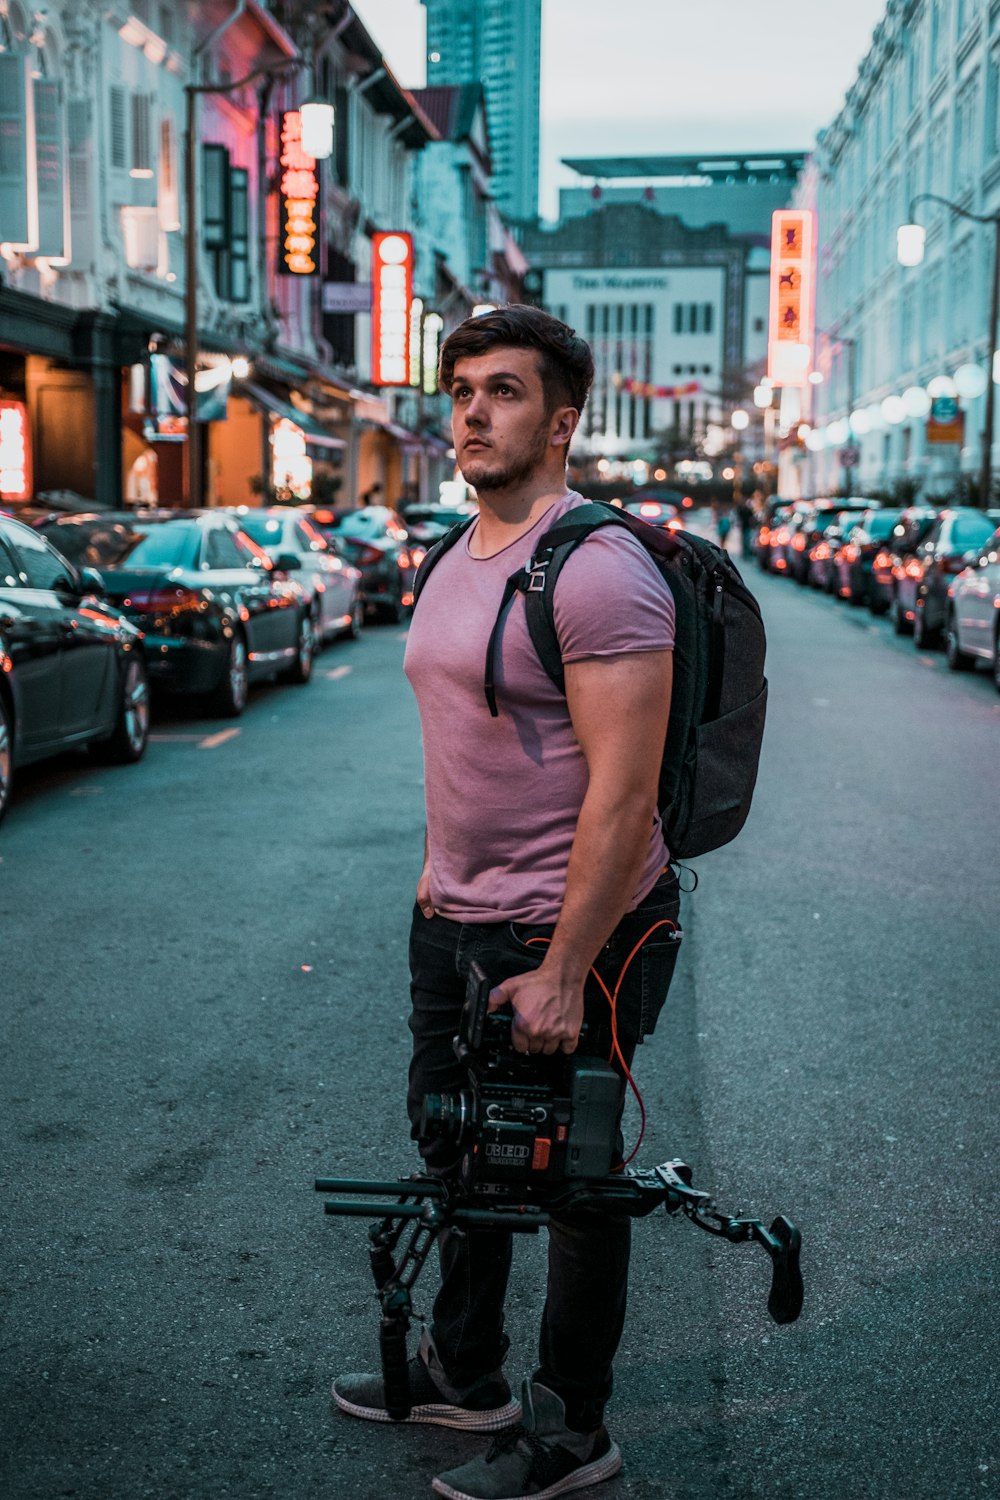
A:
(203, 998)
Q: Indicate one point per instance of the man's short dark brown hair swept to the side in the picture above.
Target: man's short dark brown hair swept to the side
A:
(564, 361)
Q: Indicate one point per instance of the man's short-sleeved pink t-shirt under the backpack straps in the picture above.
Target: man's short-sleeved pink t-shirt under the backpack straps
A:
(504, 794)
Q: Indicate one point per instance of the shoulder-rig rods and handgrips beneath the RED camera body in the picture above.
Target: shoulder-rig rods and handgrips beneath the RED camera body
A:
(433, 1205)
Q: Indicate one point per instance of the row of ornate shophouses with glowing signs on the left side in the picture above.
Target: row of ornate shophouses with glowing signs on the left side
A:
(95, 227)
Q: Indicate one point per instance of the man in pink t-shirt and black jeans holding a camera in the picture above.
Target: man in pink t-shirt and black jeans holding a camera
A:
(543, 859)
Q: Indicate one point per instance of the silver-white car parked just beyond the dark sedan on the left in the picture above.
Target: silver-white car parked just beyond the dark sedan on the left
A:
(296, 545)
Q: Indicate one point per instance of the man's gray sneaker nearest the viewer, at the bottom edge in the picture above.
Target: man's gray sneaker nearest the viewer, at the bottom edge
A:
(536, 1460)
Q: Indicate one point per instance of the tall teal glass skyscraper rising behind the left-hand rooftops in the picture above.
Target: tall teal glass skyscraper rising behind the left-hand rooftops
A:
(499, 44)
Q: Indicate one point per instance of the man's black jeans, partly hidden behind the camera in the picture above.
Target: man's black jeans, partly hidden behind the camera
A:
(588, 1252)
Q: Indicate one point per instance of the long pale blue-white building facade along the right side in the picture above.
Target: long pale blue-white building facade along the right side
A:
(923, 118)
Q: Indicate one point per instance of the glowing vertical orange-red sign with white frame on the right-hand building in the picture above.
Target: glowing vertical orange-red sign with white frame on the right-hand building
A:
(792, 281)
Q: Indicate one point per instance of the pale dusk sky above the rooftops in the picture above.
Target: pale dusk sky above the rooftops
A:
(669, 76)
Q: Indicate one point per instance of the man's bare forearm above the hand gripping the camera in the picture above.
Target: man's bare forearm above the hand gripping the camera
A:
(609, 853)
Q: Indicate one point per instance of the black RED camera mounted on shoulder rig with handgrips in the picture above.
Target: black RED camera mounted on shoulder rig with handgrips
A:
(537, 1141)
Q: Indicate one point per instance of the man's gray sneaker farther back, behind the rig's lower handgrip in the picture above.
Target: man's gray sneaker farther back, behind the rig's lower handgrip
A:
(482, 1408)
